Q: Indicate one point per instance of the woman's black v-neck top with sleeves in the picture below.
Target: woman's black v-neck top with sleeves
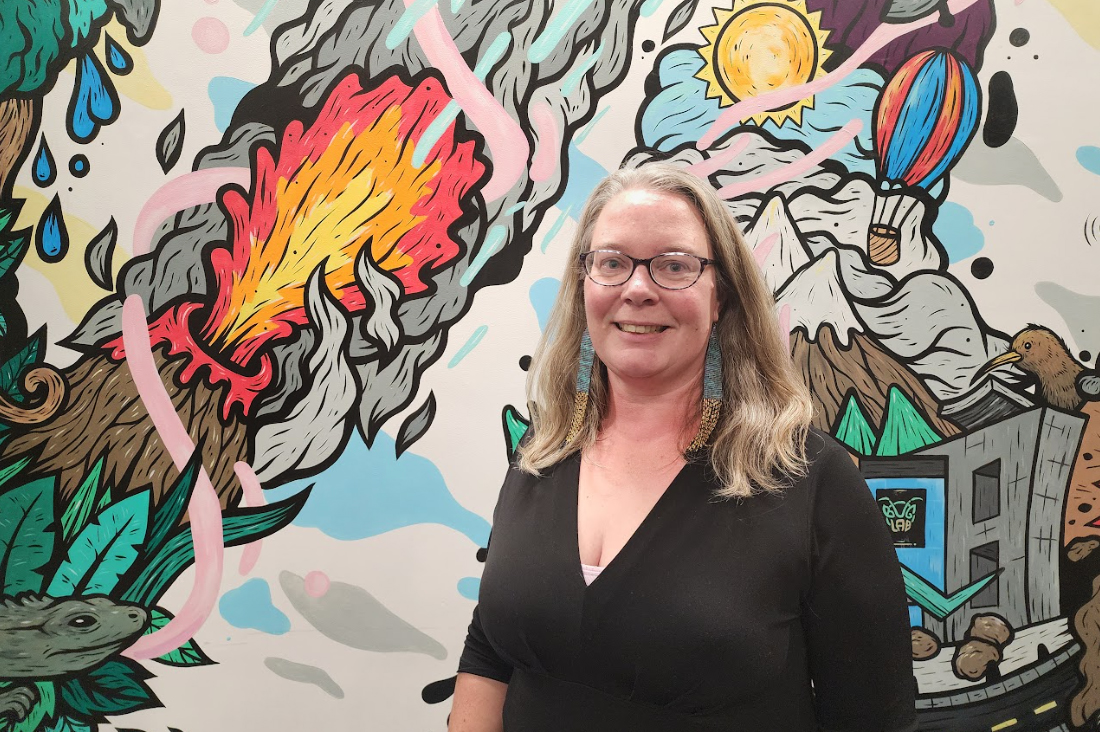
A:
(782, 614)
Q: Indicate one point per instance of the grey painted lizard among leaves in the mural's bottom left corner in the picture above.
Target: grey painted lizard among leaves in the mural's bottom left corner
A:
(45, 638)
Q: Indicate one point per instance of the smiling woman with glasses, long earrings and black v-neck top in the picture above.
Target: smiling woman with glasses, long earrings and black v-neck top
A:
(675, 548)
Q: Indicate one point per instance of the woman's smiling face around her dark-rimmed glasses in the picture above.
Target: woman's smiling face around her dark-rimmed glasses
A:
(676, 324)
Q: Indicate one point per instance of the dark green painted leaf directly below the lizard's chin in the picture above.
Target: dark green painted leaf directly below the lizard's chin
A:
(116, 687)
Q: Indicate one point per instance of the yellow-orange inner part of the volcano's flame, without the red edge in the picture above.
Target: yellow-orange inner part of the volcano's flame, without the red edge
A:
(362, 187)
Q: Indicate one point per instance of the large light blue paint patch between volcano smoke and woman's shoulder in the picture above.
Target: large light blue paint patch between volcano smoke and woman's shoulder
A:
(370, 491)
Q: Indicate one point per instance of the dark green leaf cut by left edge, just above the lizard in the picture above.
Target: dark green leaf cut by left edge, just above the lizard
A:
(27, 536)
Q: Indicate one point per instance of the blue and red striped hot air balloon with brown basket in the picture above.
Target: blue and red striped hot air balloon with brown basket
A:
(925, 119)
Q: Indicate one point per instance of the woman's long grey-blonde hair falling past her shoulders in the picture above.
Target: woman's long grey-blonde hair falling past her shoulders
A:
(758, 444)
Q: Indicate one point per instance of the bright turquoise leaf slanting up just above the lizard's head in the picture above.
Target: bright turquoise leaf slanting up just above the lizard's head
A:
(104, 550)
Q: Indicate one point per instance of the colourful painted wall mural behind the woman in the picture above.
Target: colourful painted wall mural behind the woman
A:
(271, 274)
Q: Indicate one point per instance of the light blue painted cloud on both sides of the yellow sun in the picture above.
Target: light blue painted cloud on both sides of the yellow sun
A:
(680, 113)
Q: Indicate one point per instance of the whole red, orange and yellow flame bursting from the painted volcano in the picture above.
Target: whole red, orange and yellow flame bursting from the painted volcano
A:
(348, 181)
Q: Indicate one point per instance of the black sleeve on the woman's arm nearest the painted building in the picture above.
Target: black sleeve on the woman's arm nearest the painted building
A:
(855, 617)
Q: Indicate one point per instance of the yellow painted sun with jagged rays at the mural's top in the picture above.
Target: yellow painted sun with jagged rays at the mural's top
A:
(760, 47)
